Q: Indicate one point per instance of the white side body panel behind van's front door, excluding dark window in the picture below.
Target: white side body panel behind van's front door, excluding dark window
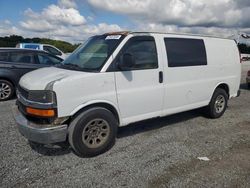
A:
(192, 87)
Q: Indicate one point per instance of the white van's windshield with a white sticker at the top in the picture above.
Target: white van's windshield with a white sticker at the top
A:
(93, 54)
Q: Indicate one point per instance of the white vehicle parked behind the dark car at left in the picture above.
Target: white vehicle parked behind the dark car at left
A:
(46, 47)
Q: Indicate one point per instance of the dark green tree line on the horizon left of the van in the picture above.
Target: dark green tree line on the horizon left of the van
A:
(13, 40)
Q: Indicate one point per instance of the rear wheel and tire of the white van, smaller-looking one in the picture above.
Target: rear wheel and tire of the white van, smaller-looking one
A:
(218, 103)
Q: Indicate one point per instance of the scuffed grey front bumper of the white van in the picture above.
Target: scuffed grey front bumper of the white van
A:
(44, 134)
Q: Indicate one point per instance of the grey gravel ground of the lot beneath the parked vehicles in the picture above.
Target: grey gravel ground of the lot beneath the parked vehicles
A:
(156, 153)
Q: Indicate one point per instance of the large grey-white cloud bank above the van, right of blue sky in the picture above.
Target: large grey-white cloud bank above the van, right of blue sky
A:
(225, 18)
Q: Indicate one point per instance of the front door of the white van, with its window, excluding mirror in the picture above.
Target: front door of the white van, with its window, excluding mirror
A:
(140, 89)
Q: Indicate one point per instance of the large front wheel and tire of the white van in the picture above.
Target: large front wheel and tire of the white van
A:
(93, 132)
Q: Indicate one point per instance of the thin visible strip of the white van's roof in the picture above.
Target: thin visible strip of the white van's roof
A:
(155, 32)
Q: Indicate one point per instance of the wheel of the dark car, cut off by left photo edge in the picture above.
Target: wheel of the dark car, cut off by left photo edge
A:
(6, 90)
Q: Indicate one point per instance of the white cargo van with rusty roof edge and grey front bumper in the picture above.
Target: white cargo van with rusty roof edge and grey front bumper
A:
(116, 79)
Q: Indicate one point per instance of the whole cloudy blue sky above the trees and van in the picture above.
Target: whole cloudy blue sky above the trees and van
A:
(75, 20)
